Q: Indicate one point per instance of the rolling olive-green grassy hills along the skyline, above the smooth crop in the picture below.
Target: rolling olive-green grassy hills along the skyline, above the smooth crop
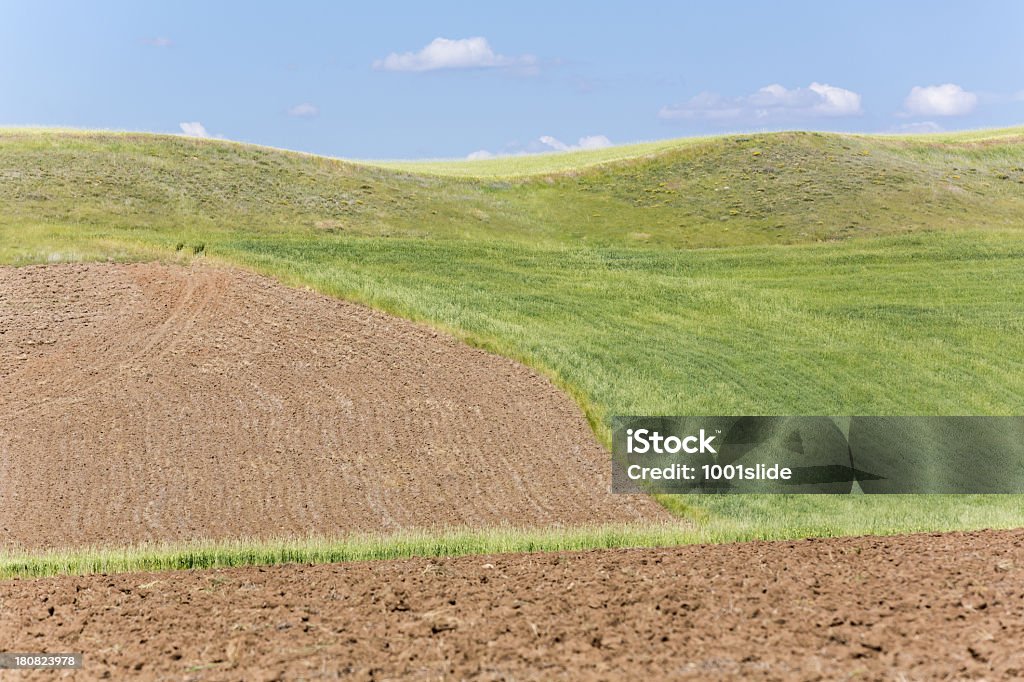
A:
(779, 189)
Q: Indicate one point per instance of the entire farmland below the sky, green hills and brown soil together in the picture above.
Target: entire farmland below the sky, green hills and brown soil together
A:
(219, 358)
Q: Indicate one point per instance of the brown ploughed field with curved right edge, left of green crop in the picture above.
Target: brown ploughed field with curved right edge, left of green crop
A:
(144, 403)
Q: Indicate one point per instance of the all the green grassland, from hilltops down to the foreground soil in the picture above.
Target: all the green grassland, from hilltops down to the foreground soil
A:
(781, 274)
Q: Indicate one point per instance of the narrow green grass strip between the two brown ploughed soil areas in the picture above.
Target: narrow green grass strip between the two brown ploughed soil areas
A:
(719, 520)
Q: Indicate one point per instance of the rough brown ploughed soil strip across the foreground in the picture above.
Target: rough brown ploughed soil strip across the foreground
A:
(912, 608)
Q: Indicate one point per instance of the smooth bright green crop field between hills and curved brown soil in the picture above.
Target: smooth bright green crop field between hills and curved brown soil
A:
(928, 324)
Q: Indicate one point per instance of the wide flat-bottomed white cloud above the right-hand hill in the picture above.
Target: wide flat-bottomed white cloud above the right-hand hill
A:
(771, 103)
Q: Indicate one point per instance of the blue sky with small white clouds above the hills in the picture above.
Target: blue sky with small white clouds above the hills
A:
(418, 80)
